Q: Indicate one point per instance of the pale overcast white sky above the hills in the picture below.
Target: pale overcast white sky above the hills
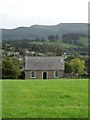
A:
(17, 13)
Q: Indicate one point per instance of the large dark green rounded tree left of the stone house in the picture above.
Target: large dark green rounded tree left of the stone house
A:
(10, 68)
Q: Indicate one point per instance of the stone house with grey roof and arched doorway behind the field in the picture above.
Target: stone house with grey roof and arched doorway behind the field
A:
(44, 67)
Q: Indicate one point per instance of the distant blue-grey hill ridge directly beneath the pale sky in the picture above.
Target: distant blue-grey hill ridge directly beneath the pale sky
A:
(41, 31)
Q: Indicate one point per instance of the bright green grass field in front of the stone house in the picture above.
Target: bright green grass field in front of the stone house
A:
(45, 98)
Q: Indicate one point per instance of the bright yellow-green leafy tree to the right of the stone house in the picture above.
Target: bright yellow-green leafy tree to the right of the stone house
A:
(77, 66)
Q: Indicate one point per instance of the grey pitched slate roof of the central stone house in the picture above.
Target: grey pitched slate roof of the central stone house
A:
(44, 63)
